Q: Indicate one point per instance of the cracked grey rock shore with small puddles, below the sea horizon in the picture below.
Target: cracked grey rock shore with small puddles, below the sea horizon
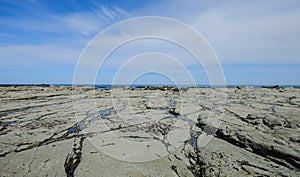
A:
(158, 131)
